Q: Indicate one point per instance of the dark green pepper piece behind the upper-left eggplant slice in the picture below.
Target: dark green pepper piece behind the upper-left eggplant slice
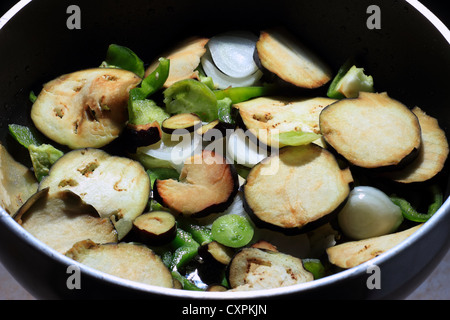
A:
(124, 58)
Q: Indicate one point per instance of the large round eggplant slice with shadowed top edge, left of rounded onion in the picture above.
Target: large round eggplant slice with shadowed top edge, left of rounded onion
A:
(295, 187)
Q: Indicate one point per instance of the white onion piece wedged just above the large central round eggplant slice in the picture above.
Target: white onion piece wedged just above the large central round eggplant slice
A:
(245, 152)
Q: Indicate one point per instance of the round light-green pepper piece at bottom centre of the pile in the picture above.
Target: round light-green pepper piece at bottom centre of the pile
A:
(232, 230)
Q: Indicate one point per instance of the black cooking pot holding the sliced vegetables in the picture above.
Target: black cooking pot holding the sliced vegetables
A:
(408, 56)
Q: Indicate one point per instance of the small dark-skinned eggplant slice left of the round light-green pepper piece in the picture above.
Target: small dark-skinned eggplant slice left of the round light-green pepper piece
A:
(156, 227)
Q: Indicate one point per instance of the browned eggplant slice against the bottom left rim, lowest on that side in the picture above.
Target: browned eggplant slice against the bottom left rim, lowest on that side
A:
(125, 260)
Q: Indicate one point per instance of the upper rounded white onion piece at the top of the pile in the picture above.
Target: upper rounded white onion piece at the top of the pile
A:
(232, 53)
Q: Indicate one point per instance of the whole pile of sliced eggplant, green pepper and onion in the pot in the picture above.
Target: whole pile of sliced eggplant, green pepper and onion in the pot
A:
(223, 165)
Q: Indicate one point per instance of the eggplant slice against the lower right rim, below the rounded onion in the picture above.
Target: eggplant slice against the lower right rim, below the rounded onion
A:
(354, 253)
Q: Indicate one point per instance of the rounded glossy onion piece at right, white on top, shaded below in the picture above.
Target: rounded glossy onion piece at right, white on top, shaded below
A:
(369, 213)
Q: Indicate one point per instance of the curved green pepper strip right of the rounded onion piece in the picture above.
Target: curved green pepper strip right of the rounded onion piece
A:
(411, 214)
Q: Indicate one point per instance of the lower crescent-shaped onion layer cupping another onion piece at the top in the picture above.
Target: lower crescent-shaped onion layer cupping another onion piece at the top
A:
(221, 80)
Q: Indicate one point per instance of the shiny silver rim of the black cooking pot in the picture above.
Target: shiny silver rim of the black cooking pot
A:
(354, 272)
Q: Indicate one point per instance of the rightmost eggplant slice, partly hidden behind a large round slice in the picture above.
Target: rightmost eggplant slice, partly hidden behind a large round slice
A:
(432, 154)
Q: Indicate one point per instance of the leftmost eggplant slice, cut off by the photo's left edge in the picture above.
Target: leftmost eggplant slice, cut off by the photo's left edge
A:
(17, 182)
